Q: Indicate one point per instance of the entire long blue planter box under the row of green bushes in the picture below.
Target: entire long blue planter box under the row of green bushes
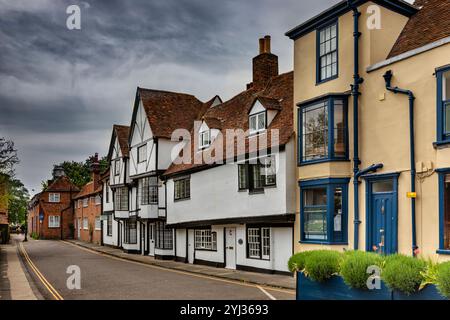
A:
(336, 289)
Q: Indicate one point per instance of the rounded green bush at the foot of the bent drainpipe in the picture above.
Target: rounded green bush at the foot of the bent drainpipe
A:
(404, 273)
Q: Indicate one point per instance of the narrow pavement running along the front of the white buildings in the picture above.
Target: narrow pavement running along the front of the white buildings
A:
(270, 280)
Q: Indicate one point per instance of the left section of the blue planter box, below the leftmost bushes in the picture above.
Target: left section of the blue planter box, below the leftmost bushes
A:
(336, 289)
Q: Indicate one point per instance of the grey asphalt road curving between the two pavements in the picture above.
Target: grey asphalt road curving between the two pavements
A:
(104, 277)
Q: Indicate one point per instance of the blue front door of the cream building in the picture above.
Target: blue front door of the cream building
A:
(383, 217)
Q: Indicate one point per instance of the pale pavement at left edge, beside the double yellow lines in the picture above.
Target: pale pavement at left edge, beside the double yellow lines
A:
(13, 281)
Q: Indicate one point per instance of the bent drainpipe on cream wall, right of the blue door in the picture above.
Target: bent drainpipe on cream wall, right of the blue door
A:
(388, 78)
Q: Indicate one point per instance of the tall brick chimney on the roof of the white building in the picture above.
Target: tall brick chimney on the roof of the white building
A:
(265, 65)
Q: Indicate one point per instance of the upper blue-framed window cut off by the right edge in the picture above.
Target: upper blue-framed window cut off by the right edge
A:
(443, 105)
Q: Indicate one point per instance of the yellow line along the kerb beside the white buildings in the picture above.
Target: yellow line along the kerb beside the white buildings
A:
(292, 292)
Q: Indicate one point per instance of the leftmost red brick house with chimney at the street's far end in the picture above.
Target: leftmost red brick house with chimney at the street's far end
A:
(50, 212)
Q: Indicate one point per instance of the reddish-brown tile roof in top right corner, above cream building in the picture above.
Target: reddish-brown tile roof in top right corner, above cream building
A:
(430, 24)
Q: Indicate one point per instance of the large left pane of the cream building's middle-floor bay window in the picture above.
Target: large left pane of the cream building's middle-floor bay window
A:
(315, 131)
